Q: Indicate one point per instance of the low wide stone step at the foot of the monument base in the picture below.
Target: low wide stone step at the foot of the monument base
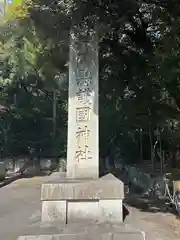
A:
(81, 232)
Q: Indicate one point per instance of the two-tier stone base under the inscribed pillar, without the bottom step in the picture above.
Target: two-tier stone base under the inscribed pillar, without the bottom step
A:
(71, 200)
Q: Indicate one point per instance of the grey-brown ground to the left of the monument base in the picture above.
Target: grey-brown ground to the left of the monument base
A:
(19, 202)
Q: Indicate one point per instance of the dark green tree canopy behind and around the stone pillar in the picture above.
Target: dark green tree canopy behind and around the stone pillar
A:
(139, 74)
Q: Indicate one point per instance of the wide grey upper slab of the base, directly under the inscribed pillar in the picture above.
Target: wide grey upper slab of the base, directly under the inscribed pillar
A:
(107, 187)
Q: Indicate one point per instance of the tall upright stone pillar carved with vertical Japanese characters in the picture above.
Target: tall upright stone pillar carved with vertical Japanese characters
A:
(83, 118)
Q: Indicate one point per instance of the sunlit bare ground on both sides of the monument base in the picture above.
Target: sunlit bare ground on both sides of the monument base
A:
(20, 205)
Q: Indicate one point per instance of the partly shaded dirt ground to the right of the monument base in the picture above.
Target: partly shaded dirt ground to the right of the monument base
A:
(154, 218)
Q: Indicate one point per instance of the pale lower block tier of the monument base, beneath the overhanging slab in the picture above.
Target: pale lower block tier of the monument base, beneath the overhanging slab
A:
(82, 211)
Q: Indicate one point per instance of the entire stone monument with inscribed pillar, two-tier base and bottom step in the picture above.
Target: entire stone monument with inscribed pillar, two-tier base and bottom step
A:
(79, 196)
